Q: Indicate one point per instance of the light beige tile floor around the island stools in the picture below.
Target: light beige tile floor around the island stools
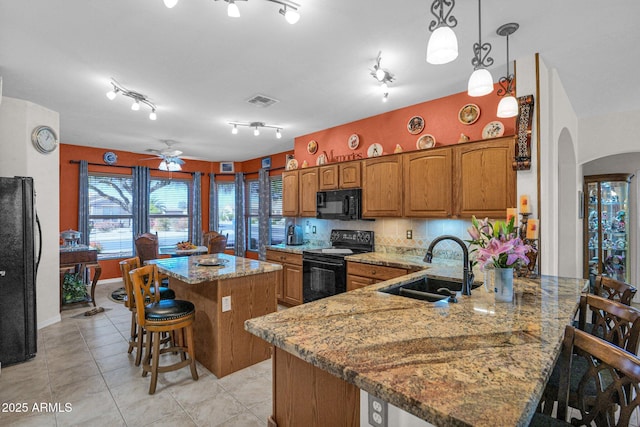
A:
(82, 362)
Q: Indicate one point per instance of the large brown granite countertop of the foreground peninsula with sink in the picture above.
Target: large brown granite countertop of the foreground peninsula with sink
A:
(476, 362)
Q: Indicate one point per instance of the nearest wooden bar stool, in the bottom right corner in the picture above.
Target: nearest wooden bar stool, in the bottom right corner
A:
(616, 399)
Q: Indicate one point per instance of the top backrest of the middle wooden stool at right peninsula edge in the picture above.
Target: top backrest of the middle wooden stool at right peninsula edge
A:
(612, 321)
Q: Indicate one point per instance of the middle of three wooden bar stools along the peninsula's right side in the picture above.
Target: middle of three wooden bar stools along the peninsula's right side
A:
(612, 321)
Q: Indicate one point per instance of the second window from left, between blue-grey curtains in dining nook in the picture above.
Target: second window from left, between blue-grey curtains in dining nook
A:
(169, 208)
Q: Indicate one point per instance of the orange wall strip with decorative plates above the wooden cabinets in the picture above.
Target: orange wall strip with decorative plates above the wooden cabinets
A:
(390, 128)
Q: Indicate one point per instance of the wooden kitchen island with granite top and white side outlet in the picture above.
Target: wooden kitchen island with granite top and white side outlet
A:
(226, 292)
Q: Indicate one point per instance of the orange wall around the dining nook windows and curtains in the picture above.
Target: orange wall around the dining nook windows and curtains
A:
(69, 183)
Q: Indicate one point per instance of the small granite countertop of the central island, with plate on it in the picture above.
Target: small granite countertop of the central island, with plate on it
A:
(190, 270)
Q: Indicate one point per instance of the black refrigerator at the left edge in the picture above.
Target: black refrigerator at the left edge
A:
(18, 267)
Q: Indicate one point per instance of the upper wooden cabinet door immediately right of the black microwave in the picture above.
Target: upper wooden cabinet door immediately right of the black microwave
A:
(382, 187)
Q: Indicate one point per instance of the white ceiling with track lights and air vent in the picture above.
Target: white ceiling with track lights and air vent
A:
(200, 67)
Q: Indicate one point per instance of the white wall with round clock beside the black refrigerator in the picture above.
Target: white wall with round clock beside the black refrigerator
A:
(18, 157)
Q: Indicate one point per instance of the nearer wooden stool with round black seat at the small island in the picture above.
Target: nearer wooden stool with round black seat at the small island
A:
(172, 316)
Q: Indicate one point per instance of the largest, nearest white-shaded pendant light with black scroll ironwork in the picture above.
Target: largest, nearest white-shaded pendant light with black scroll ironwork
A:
(442, 47)
